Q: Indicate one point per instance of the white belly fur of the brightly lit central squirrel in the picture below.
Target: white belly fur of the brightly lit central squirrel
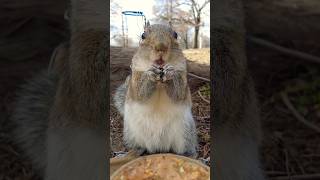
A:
(158, 124)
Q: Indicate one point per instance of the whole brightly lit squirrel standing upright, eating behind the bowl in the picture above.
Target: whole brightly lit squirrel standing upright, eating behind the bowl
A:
(155, 99)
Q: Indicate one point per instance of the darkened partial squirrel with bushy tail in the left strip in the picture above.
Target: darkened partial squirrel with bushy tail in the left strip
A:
(59, 118)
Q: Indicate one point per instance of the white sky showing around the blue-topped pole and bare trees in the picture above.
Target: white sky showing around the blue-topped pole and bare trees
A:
(135, 23)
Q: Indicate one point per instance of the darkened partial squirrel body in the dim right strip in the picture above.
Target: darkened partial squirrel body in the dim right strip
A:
(236, 118)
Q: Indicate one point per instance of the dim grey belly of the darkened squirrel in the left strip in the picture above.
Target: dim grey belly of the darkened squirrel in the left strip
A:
(75, 153)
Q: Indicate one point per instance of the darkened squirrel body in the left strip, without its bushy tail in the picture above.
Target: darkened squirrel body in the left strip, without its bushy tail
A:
(76, 132)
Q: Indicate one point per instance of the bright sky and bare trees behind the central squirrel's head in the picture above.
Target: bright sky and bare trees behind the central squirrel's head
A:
(186, 17)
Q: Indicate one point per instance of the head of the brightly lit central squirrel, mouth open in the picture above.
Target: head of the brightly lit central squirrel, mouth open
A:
(160, 40)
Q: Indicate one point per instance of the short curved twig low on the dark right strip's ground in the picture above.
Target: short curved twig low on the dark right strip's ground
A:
(296, 114)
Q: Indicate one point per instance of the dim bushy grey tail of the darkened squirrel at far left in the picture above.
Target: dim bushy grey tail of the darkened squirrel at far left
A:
(30, 117)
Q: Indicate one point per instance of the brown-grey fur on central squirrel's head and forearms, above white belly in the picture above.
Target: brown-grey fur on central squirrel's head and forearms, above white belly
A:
(158, 36)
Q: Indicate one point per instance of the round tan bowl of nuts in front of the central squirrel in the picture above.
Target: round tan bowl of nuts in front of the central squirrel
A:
(162, 167)
